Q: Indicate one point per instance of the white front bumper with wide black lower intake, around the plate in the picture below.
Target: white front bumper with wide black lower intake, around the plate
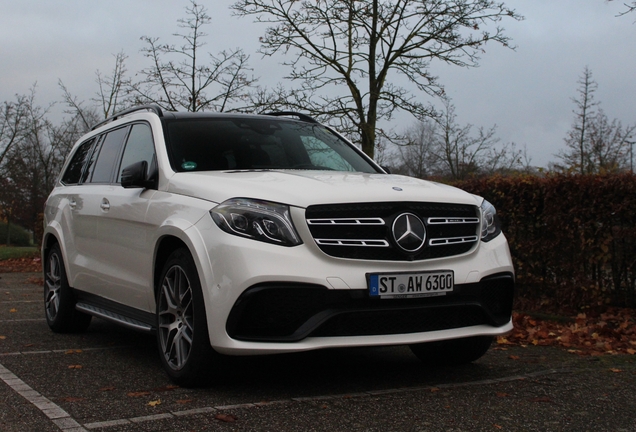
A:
(263, 299)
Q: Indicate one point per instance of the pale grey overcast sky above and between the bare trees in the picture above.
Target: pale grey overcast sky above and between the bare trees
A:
(527, 93)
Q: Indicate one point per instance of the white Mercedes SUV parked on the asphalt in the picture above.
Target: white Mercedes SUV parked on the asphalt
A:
(253, 234)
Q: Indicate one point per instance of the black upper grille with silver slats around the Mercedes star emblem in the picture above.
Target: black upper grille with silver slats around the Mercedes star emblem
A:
(365, 230)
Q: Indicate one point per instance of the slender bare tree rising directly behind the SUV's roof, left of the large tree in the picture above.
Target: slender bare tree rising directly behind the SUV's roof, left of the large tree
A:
(180, 77)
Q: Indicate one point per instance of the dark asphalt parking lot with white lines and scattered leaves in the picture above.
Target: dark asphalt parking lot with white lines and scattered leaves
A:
(110, 379)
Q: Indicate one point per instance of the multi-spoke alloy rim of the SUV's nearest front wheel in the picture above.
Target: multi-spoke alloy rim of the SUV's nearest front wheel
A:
(175, 318)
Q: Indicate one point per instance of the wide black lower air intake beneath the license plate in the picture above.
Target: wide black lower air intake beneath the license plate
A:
(290, 313)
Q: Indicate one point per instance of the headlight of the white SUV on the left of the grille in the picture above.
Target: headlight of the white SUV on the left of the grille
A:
(259, 220)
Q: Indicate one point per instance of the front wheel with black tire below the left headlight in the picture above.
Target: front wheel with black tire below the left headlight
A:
(182, 328)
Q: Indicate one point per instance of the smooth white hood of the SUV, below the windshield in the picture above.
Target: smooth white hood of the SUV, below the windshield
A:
(304, 188)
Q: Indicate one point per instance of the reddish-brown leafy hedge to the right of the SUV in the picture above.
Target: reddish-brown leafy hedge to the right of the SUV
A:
(572, 237)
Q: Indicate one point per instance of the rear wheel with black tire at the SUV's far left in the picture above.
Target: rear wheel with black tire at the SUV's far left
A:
(59, 300)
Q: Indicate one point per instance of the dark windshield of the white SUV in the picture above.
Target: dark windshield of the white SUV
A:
(210, 144)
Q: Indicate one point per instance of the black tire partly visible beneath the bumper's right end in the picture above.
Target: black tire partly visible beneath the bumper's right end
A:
(453, 352)
